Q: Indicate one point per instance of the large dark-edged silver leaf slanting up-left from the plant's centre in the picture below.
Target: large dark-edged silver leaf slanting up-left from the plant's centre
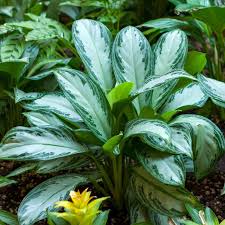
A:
(88, 100)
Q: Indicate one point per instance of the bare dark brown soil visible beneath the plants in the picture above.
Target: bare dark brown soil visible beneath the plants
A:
(207, 190)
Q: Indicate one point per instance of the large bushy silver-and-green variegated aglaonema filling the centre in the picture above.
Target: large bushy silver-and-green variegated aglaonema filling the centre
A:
(124, 115)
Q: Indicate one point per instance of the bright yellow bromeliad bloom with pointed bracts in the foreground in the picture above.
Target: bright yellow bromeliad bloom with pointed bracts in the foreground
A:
(81, 211)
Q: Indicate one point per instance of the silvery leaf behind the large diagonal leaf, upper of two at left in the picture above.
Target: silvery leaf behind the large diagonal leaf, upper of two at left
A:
(53, 103)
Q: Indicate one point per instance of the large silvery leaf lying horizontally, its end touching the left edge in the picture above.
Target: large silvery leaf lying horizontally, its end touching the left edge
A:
(22, 143)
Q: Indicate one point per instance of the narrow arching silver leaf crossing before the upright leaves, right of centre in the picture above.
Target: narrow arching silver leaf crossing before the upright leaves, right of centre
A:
(159, 81)
